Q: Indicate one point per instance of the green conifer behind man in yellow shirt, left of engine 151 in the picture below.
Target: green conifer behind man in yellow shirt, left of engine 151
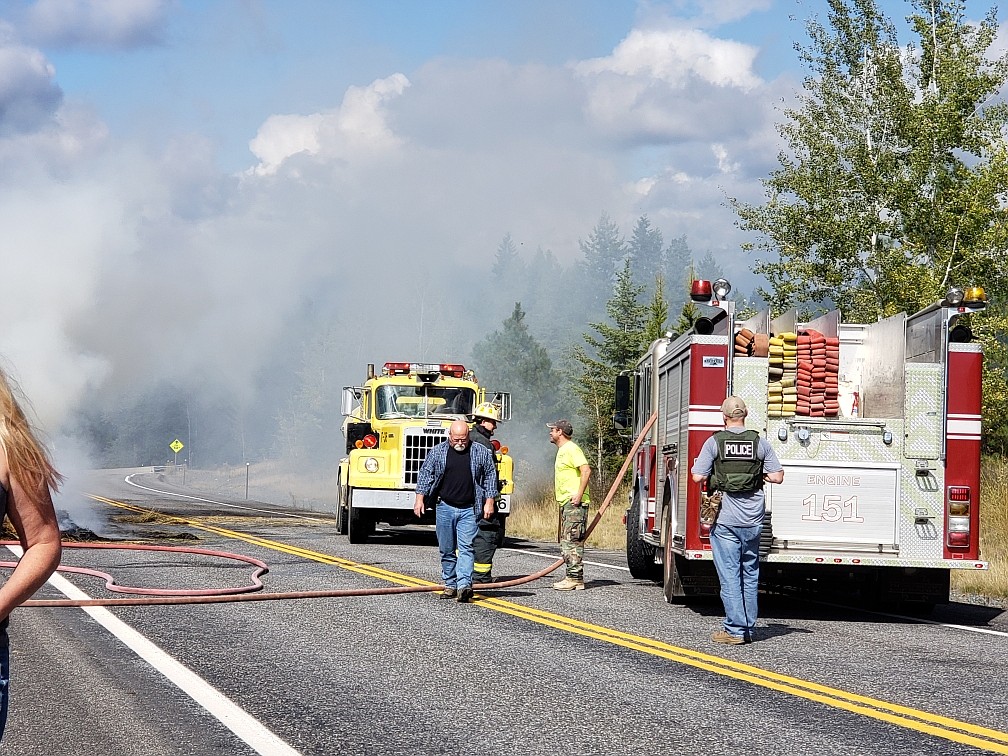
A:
(617, 346)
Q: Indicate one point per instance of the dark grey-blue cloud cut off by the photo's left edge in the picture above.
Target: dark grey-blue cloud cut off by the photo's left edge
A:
(29, 95)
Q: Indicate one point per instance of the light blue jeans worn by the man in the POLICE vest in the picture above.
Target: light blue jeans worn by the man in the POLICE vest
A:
(736, 557)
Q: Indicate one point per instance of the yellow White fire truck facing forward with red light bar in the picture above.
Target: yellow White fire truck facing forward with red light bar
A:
(392, 423)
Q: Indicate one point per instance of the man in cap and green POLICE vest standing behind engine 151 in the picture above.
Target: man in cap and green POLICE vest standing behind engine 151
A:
(737, 462)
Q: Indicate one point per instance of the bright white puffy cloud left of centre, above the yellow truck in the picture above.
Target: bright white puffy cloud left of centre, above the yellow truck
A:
(358, 128)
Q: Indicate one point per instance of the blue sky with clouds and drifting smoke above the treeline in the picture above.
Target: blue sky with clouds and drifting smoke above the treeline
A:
(196, 170)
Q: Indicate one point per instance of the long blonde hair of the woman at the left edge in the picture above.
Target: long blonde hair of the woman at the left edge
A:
(28, 459)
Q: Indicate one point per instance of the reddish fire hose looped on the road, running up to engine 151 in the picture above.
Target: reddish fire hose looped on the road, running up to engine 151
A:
(253, 592)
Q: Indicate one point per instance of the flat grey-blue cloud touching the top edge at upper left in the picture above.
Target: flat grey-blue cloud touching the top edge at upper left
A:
(102, 25)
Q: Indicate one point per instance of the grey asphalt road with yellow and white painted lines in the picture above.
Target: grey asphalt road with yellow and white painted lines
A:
(612, 670)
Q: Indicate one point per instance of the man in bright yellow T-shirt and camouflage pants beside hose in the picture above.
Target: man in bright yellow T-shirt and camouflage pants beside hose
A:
(572, 473)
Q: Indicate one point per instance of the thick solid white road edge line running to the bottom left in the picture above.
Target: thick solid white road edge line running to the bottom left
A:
(260, 738)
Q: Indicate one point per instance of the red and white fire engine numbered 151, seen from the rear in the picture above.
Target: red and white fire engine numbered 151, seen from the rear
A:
(877, 427)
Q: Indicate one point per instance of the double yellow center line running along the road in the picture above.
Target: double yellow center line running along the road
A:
(894, 714)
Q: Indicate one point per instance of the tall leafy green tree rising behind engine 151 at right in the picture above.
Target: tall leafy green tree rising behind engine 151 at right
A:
(894, 187)
